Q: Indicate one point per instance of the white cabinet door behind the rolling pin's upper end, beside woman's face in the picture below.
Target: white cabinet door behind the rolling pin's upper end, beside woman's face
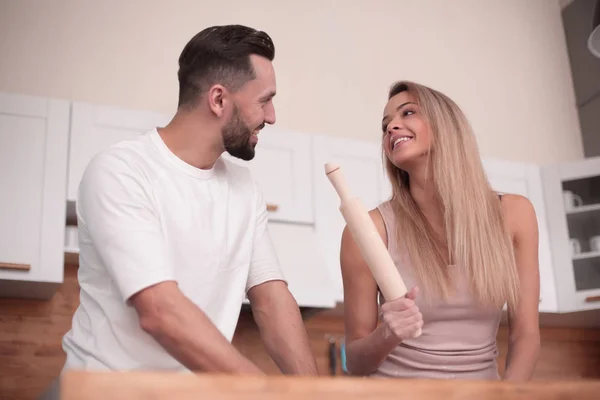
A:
(362, 166)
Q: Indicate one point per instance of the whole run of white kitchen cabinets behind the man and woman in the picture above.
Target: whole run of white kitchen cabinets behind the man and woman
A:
(46, 143)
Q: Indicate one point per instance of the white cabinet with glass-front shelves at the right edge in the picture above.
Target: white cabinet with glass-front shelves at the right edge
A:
(572, 195)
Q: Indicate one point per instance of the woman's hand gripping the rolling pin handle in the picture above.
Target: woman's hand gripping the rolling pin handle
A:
(401, 317)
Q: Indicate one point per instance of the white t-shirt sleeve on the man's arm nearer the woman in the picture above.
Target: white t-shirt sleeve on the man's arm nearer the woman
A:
(264, 265)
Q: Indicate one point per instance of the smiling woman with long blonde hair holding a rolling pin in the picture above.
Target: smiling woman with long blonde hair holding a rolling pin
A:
(463, 251)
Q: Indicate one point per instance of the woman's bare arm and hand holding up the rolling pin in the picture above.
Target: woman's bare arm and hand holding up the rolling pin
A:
(367, 343)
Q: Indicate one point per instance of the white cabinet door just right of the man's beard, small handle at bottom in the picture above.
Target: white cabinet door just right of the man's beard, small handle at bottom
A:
(282, 167)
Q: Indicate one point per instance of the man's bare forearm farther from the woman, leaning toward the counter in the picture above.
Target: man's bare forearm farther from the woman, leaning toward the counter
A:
(186, 333)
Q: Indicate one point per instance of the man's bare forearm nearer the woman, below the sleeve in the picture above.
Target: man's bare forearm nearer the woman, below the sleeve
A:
(284, 334)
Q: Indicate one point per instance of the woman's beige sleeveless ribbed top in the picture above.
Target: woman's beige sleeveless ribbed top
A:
(458, 339)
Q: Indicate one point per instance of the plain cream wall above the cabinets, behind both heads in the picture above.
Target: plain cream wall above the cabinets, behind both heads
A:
(504, 61)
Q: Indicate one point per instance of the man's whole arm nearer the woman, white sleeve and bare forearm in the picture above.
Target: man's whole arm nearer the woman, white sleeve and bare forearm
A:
(274, 308)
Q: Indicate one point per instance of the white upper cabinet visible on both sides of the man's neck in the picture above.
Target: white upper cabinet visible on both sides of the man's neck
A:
(281, 165)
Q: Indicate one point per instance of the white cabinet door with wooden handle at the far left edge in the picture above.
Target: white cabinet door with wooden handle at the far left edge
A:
(34, 134)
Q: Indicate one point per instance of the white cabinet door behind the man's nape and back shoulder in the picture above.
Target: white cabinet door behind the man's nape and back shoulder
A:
(96, 127)
